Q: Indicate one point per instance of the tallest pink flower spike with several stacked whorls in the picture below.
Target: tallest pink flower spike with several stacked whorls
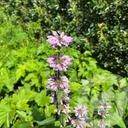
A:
(57, 83)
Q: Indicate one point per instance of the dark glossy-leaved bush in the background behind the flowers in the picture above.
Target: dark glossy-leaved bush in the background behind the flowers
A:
(98, 26)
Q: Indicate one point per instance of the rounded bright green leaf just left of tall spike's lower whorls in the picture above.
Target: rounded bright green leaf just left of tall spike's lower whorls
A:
(41, 98)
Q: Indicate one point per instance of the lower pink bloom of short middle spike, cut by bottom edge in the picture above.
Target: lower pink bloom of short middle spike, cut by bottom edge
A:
(78, 123)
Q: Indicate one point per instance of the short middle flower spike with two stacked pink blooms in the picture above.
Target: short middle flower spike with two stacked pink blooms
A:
(79, 121)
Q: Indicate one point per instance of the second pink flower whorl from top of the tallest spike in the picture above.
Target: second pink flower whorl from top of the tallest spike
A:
(59, 62)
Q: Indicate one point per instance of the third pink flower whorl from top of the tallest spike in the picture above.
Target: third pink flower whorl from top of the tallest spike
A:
(55, 83)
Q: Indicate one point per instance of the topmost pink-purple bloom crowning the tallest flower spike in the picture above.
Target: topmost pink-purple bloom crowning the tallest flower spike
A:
(58, 40)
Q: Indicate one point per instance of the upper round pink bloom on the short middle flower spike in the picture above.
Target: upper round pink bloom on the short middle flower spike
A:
(80, 111)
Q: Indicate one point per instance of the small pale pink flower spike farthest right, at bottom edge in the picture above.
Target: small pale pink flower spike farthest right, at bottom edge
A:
(103, 112)
